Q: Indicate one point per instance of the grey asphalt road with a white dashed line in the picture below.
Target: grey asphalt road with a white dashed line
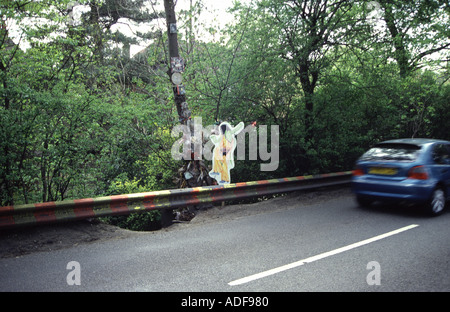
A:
(329, 245)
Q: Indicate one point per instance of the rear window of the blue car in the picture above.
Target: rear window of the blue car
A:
(393, 152)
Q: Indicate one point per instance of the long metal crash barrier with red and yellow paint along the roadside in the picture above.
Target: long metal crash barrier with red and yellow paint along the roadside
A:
(51, 212)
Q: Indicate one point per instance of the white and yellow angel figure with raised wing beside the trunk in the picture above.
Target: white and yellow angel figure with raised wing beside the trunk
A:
(223, 152)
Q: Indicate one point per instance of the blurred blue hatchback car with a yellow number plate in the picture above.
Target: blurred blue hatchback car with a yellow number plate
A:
(405, 170)
